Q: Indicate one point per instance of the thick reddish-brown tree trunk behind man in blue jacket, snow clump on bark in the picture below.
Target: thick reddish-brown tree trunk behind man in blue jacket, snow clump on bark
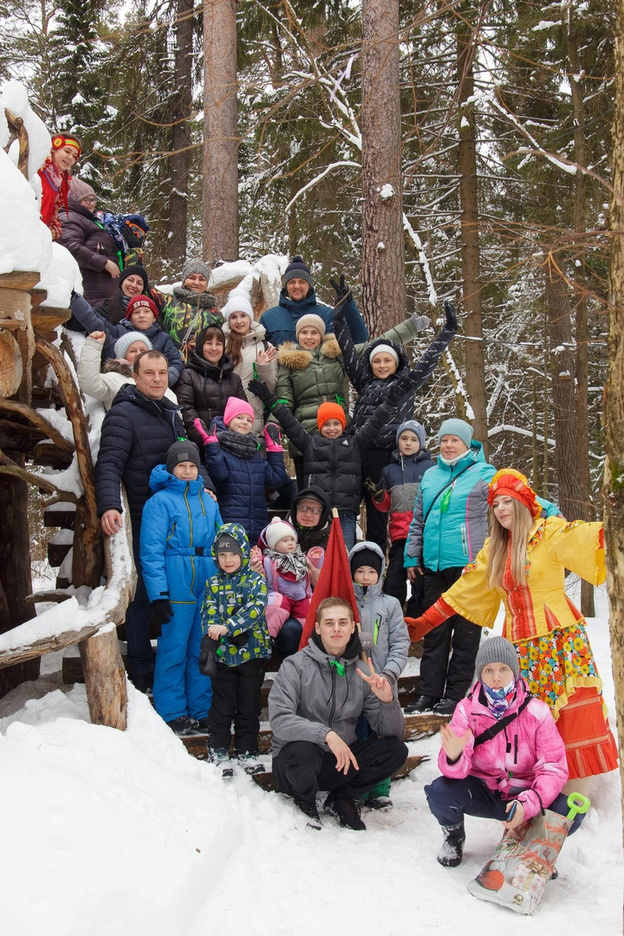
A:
(383, 245)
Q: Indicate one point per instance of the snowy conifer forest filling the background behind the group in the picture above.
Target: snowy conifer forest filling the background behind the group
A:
(500, 170)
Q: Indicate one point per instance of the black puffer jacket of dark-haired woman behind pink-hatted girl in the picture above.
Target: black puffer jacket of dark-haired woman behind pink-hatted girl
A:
(203, 390)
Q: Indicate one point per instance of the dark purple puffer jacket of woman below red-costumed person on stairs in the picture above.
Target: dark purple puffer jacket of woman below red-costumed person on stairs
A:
(91, 246)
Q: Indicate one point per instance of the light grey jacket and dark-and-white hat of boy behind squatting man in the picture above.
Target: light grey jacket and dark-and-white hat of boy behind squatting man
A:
(381, 616)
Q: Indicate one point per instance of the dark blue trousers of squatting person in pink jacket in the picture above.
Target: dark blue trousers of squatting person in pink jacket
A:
(450, 800)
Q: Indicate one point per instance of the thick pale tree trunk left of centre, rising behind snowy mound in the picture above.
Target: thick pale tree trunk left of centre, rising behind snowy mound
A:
(220, 208)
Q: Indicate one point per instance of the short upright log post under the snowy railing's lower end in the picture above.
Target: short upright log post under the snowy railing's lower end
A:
(105, 679)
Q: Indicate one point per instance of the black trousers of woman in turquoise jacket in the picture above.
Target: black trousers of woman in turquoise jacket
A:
(439, 676)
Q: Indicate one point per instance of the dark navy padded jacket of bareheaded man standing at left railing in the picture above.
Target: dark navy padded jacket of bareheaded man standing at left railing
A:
(136, 434)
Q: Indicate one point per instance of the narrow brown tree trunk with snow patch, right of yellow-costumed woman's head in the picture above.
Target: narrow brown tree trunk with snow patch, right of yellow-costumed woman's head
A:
(563, 391)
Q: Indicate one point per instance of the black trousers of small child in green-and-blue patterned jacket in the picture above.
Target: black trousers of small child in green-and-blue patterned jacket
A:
(236, 698)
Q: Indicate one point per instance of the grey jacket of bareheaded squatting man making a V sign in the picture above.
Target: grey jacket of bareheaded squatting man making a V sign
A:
(309, 698)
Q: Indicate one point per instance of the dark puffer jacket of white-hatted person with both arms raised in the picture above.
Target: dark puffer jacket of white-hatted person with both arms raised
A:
(372, 391)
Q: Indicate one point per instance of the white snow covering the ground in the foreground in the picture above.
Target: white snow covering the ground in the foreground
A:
(108, 832)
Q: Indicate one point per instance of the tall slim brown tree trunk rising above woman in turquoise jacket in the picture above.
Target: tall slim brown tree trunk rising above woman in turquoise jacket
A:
(469, 219)
